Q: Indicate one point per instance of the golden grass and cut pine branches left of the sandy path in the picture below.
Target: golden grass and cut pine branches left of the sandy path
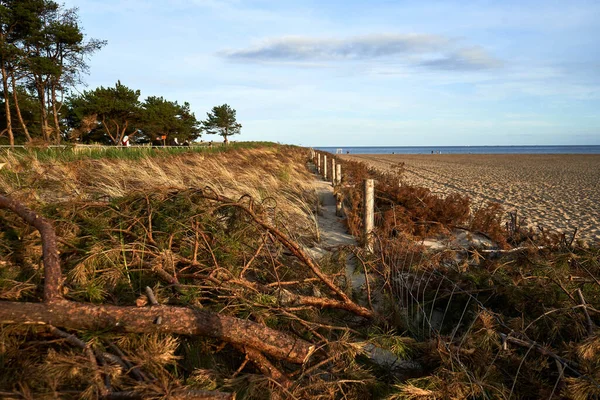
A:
(126, 225)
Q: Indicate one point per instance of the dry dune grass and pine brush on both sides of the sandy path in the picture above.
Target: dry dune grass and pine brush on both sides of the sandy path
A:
(125, 224)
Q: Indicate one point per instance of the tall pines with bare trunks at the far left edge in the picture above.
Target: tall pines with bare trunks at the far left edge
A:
(43, 54)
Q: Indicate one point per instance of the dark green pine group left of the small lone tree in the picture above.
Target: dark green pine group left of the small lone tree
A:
(43, 54)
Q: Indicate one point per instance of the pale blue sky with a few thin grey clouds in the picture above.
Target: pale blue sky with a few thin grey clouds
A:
(363, 73)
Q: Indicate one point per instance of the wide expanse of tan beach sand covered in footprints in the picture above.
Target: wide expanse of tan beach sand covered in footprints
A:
(555, 191)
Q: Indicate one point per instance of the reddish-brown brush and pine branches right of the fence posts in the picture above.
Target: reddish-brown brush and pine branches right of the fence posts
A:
(482, 297)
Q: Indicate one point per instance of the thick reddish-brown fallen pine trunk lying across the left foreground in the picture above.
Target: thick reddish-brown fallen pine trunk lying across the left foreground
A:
(162, 319)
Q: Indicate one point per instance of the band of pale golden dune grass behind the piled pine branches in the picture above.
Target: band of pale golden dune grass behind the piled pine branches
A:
(263, 174)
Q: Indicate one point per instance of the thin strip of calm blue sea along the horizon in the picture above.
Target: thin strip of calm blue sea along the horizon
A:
(466, 150)
